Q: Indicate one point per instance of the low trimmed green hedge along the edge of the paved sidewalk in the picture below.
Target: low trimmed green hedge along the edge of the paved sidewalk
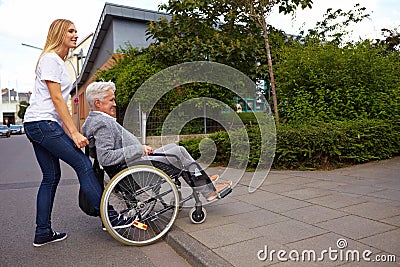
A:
(315, 145)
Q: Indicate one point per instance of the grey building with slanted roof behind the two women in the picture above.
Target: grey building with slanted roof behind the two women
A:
(117, 26)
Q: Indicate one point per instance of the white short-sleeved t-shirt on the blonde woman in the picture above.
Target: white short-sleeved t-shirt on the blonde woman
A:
(50, 68)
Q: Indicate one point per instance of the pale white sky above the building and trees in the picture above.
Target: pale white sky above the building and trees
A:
(27, 21)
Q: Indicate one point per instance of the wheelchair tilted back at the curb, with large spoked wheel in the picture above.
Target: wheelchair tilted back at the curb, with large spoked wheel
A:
(149, 193)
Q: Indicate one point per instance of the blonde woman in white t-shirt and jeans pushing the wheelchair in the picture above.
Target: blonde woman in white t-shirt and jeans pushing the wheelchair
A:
(50, 128)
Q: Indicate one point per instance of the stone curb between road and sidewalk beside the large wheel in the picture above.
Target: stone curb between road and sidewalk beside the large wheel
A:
(194, 252)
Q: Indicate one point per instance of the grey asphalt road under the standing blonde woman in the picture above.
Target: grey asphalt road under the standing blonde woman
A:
(87, 244)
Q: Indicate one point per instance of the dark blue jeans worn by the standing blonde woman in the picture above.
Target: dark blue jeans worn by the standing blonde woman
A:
(51, 144)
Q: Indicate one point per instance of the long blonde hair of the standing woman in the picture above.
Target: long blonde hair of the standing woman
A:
(55, 37)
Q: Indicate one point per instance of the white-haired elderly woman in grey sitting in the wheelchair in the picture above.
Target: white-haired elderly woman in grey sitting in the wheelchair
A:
(113, 153)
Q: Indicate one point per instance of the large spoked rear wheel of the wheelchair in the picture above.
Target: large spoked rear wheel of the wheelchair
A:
(144, 195)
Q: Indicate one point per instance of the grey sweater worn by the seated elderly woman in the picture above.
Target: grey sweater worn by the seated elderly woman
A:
(114, 144)
